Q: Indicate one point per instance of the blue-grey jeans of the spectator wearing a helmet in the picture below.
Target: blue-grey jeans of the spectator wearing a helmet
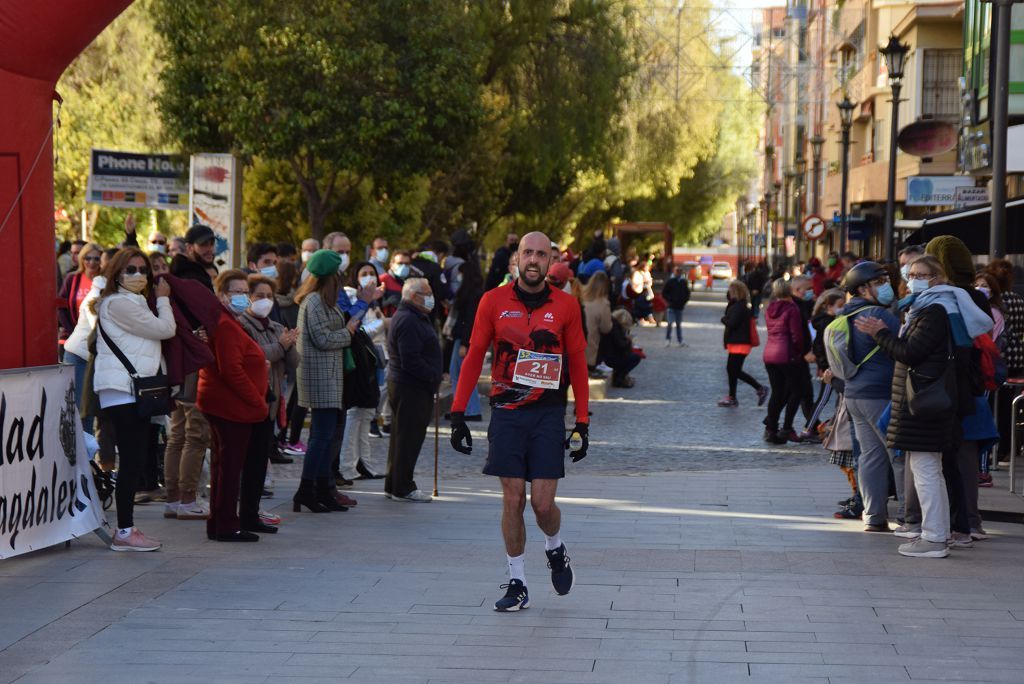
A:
(876, 459)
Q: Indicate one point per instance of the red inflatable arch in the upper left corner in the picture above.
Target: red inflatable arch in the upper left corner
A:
(38, 40)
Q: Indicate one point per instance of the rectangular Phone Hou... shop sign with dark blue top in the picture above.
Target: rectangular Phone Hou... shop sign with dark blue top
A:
(132, 181)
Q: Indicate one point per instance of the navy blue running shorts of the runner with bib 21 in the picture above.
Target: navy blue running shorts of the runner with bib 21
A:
(527, 444)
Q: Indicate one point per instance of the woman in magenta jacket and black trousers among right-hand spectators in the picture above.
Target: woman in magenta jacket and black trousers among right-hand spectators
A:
(784, 352)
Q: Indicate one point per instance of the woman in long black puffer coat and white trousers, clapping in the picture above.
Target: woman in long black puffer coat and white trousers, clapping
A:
(924, 348)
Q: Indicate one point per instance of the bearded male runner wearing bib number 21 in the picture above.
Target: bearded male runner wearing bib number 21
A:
(535, 330)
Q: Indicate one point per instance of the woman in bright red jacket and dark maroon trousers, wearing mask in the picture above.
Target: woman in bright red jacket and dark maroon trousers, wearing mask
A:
(233, 397)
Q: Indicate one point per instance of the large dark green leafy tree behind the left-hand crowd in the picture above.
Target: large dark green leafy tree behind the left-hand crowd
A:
(344, 93)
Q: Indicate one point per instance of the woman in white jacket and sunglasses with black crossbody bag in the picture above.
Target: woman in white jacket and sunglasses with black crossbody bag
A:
(126, 320)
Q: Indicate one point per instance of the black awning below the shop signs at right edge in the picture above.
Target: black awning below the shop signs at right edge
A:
(970, 225)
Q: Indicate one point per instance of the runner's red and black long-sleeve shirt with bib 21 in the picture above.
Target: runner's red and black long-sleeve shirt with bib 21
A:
(553, 328)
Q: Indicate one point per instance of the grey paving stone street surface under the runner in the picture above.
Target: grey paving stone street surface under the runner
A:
(702, 557)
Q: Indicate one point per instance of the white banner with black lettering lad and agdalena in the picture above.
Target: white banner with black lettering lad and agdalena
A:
(47, 491)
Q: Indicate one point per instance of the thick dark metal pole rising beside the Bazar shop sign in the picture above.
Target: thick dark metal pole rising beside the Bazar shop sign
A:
(1001, 98)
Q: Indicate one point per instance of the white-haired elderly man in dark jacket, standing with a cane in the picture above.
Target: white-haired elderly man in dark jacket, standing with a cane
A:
(413, 377)
